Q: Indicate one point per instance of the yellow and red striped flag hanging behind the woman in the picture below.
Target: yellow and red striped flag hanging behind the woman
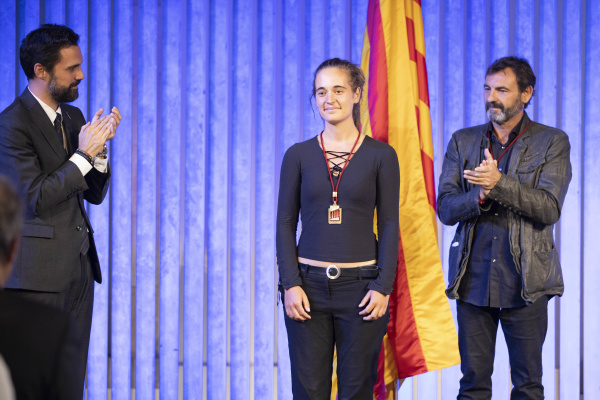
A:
(421, 335)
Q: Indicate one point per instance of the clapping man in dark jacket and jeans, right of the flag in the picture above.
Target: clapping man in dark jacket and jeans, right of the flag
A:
(504, 182)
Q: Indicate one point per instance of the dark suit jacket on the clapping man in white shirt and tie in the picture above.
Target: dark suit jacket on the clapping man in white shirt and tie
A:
(57, 231)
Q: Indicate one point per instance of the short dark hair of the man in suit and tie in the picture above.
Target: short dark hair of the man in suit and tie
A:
(43, 46)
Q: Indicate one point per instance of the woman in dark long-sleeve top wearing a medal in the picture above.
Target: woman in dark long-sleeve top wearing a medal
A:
(336, 283)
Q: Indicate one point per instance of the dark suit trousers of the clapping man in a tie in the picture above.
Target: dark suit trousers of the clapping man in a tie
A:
(78, 301)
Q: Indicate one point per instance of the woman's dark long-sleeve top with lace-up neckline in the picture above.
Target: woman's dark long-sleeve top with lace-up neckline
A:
(371, 181)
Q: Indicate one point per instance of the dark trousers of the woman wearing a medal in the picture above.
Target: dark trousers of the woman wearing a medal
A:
(334, 322)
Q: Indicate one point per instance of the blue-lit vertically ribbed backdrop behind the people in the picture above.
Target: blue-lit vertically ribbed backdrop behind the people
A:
(212, 94)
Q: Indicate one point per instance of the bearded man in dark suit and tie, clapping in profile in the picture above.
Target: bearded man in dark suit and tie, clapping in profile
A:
(56, 160)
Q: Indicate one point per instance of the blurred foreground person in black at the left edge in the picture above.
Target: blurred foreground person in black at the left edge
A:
(36, 341)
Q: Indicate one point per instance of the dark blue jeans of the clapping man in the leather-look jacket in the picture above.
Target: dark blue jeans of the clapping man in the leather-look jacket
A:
(524, 330)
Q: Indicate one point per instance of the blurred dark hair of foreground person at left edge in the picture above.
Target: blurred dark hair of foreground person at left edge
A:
(11, 218)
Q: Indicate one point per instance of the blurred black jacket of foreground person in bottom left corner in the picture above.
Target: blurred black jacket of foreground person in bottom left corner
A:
(37, 343)
